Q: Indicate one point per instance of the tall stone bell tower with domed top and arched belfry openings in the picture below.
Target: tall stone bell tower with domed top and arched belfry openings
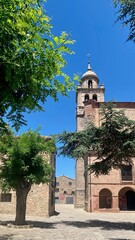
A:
(87, 91)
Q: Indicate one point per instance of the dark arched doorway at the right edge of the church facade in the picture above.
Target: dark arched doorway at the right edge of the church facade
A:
(127, 199)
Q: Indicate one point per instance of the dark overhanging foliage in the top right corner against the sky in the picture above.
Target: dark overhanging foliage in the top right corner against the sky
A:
(126, 14)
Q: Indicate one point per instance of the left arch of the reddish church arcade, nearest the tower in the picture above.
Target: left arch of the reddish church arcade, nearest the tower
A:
(105, 198)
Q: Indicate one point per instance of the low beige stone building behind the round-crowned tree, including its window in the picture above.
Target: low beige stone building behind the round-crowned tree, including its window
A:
(40, 200)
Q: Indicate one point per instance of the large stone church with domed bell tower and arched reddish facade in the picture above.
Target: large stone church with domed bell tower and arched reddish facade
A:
(113, 192)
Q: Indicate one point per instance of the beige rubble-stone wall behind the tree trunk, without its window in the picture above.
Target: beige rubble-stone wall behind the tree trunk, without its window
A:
(38, 202)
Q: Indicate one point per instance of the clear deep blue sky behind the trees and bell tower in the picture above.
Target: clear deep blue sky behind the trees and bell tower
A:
(91, 24)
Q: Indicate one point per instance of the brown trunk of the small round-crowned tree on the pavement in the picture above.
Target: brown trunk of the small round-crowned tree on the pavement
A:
(21, 198)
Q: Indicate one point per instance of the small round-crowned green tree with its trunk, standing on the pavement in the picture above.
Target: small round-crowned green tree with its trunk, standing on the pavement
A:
(25, 161)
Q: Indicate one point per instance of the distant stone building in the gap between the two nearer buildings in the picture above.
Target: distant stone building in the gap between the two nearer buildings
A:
(65, 190)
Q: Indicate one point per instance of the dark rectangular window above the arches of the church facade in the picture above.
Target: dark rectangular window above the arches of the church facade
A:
(126, 173)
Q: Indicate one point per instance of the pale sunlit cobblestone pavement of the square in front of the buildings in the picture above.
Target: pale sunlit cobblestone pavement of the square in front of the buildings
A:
(72, 224)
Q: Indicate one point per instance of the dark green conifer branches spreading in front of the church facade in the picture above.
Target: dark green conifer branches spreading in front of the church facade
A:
(113, 143)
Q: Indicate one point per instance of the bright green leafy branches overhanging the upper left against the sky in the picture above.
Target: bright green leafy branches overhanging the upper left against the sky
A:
(31, 59)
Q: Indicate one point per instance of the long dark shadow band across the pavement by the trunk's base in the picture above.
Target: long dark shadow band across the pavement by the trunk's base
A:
(104, 225)
